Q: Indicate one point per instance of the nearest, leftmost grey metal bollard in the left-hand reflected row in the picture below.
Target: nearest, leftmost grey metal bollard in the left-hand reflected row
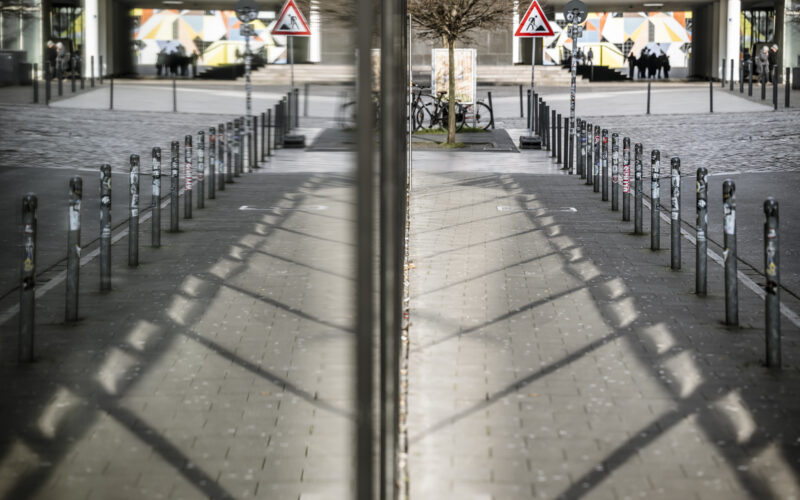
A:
(27, 296)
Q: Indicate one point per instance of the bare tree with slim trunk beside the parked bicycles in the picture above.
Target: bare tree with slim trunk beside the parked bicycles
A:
(452, 21)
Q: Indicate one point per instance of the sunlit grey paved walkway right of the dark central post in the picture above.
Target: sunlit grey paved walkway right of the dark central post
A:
(553, 355)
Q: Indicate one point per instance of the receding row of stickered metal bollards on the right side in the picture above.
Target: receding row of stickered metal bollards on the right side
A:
(592, 164)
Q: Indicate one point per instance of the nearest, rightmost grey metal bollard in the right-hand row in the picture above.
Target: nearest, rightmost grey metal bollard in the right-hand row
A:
(772, 273)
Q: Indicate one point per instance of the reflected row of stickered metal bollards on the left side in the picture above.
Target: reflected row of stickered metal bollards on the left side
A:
(218, 163)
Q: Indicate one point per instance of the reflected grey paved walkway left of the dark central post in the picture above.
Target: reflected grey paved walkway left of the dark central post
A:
(219, 368)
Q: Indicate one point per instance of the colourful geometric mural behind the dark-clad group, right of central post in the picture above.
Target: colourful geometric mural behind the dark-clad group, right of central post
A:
(612, 36)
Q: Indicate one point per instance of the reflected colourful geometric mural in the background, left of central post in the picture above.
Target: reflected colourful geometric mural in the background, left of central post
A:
(213, 35)
